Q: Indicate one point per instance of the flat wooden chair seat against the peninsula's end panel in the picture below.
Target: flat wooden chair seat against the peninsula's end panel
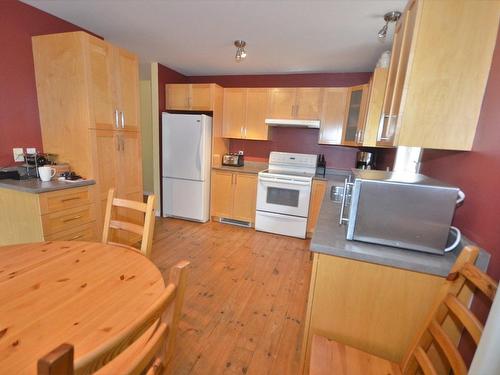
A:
(330, 357)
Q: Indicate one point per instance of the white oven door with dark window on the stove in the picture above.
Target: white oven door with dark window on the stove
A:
(284, 195)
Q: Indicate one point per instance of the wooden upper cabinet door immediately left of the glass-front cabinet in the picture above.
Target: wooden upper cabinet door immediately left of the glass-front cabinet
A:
(332, 115)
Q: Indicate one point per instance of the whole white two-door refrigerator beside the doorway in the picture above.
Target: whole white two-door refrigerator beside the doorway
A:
(186, 154)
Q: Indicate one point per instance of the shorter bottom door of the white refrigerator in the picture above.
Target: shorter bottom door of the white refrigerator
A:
(186, 199)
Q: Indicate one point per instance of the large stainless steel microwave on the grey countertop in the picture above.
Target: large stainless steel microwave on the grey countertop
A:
(406, 210)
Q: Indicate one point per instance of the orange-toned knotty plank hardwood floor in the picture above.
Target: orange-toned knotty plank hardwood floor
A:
(245, 301)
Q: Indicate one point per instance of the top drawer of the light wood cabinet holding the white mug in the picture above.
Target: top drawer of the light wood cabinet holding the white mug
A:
(64, 199)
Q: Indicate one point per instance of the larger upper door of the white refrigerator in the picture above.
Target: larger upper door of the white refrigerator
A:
(186, 146)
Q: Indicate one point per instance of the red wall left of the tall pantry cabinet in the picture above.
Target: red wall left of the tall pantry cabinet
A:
(19, 120)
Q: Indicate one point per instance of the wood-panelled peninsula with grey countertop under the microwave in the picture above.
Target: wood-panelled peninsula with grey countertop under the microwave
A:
(372, 297)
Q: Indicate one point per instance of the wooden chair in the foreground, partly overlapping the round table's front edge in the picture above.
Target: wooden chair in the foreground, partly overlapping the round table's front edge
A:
(134, 350)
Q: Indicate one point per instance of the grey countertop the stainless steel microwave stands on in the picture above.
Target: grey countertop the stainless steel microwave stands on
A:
(329, 238)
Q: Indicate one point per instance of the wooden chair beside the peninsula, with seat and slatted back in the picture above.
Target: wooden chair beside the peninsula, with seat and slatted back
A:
(332, 357)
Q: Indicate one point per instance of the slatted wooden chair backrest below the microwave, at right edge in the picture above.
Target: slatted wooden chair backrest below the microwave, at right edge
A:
(447, 304)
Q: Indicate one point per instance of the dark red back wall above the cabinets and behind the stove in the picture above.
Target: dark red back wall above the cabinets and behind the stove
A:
(287, 139)
